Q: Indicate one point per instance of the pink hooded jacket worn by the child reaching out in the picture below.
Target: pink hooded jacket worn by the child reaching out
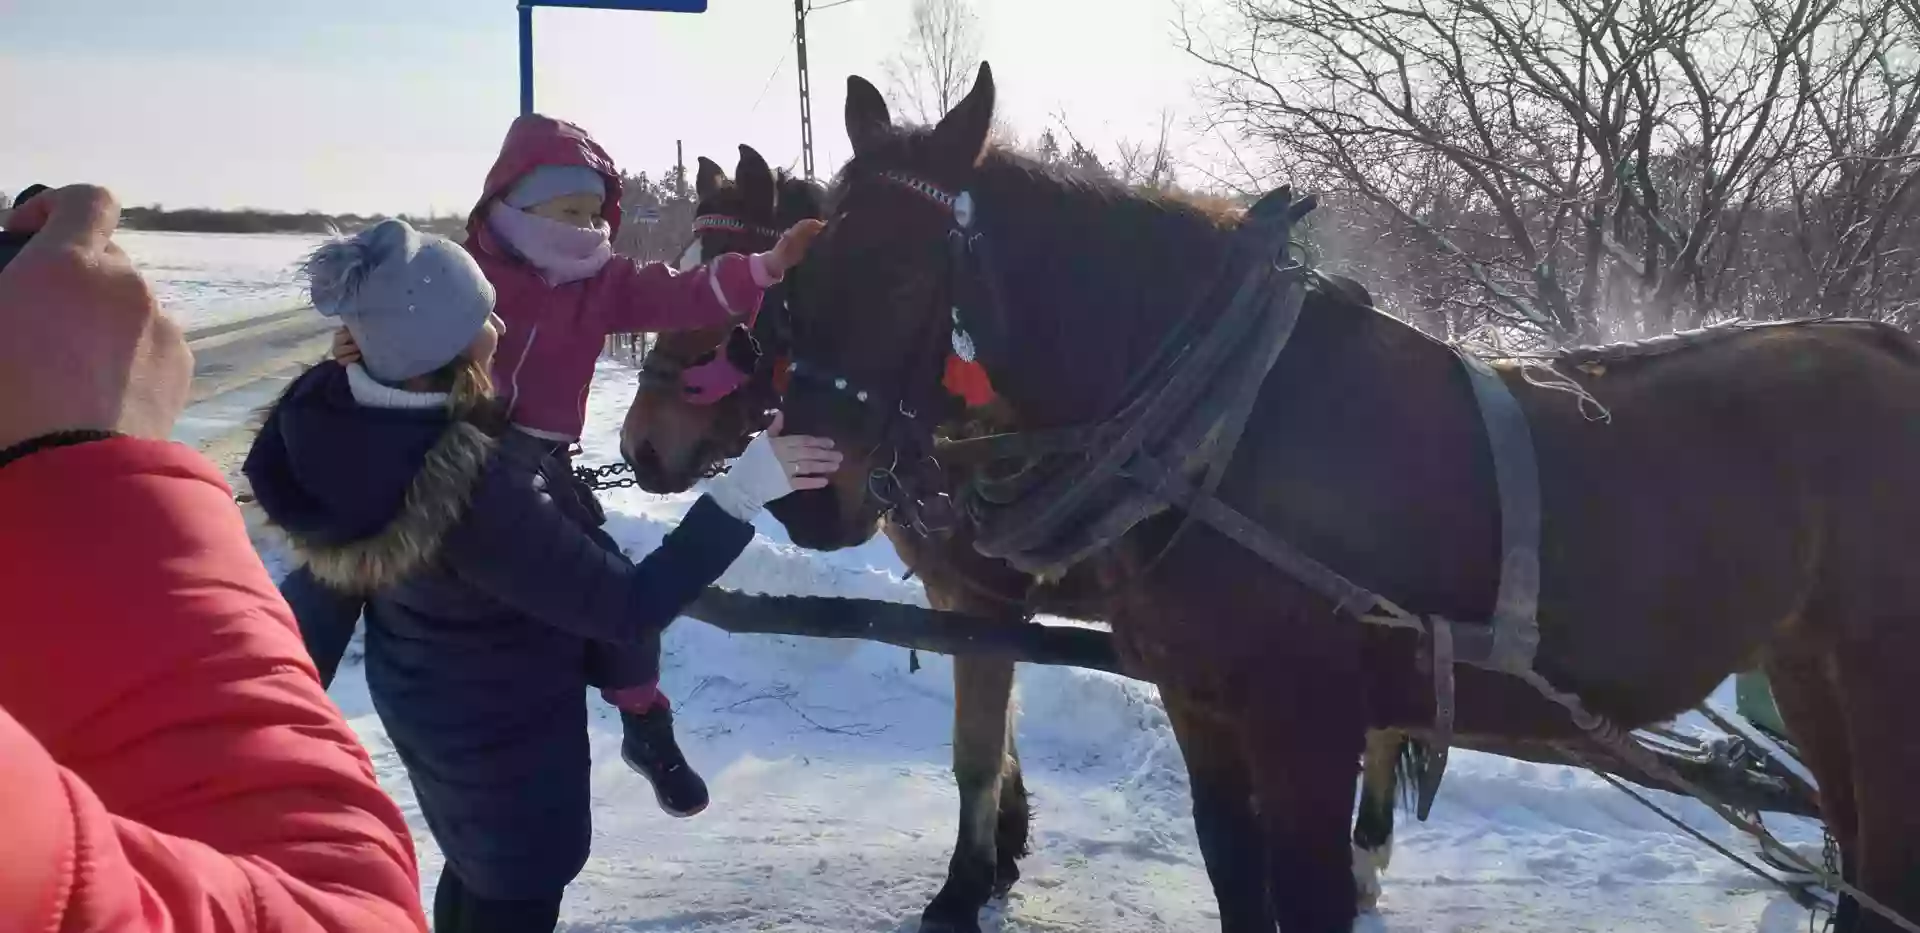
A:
(544, 364)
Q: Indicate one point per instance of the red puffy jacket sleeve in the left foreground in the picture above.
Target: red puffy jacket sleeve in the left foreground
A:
(168, 754)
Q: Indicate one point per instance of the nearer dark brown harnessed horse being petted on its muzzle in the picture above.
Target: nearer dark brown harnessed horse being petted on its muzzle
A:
(1748, 496)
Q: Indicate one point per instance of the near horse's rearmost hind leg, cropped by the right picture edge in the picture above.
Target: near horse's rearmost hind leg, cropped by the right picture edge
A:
(1875, 688)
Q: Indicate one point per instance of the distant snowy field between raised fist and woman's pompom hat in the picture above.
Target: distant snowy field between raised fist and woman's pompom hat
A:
(208, 279)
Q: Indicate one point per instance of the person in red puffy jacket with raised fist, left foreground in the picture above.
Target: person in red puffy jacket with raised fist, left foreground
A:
(168, 759)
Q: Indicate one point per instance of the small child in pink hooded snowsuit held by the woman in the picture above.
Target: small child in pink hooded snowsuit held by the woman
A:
(542, 233)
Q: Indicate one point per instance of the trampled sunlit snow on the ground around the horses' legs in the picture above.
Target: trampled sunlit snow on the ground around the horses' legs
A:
(834, 809)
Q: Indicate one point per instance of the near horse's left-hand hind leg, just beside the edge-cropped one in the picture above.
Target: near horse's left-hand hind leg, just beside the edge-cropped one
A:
(1810, 706)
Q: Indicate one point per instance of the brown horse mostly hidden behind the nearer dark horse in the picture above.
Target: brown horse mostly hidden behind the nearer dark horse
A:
(673, 441)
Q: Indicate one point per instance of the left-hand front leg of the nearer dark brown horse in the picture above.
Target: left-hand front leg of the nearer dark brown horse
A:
(1226, 821)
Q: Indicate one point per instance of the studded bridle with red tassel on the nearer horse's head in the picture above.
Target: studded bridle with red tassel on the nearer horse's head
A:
(903, 429)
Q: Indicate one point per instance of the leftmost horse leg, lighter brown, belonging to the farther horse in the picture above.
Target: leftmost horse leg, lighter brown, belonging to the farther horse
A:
(984, 690)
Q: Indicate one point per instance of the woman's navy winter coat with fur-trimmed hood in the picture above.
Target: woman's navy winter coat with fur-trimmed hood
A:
(483, 594)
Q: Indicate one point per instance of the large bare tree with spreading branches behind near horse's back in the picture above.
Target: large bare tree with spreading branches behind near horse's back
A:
(1581, 164)
